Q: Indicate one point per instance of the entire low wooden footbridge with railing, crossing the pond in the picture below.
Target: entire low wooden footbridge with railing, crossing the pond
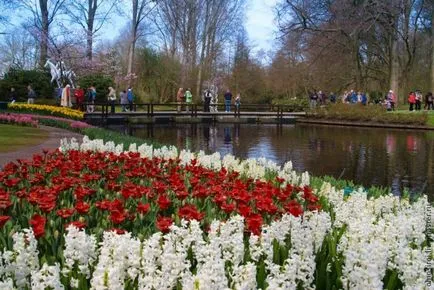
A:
(168, 112)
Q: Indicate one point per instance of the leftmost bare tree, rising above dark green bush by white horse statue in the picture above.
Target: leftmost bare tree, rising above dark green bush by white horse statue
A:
(43, 14)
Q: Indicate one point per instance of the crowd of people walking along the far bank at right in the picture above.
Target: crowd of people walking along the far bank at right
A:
(415, 99)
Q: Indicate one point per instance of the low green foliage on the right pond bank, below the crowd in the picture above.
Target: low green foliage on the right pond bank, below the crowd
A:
(372, 114)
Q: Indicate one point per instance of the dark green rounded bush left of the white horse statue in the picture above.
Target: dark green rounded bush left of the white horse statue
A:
(20, 79)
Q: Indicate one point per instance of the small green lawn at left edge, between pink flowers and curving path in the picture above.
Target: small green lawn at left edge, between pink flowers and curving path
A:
(14, 137)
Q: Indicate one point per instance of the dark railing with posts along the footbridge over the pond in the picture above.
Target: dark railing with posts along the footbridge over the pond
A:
(185, 109)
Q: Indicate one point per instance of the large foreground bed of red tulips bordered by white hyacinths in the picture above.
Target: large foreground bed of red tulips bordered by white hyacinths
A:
(92, 215)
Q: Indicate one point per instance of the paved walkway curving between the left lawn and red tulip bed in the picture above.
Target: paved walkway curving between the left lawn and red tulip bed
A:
(53, 142)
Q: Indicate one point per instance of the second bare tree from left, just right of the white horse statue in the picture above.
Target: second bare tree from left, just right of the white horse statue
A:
(90, 15)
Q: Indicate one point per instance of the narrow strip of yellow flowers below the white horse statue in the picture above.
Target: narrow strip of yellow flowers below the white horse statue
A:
(46, 110)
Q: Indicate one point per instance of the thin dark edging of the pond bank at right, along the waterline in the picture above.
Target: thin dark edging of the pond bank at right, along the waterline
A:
(363, 124)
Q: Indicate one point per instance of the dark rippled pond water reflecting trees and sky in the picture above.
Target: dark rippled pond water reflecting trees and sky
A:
(368, 156)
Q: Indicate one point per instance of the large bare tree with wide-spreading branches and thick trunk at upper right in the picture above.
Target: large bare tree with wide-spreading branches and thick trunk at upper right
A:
(380, 36)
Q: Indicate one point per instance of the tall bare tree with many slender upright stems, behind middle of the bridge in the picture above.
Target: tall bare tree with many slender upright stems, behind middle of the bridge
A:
(195, 31)
